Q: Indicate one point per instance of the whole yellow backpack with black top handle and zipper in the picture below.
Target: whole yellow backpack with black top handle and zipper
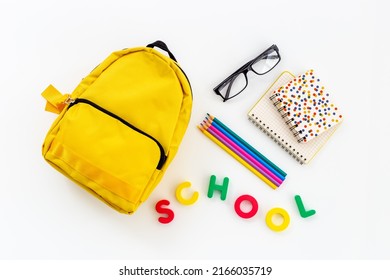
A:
(117, 133)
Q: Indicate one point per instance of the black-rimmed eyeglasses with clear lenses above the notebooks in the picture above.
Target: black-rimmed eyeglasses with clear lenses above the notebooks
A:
(238, 81)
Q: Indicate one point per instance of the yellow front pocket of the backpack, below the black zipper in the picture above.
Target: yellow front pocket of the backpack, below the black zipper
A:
(105, 152)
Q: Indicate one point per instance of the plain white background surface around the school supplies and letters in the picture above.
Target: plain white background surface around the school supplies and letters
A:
(45, 216)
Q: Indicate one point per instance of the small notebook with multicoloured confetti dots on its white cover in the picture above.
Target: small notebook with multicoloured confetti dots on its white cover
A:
(305, 104)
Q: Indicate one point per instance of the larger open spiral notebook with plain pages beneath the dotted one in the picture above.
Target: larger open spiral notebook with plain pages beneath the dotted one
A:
(267, 118)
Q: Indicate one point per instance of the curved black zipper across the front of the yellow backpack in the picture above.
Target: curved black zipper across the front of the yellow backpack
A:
(163, 157)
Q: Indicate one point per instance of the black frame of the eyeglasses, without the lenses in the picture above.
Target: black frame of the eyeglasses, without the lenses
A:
(244, 70)
